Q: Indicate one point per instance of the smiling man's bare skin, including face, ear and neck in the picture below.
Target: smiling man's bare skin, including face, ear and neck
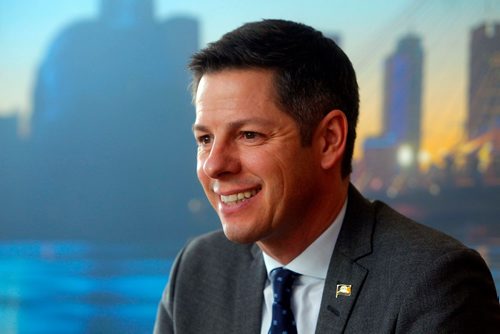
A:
(262, 181)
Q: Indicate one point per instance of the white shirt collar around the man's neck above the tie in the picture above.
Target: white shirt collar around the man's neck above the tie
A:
(315, 259)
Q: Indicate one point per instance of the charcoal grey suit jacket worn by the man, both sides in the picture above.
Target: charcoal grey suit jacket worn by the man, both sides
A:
(405, 278)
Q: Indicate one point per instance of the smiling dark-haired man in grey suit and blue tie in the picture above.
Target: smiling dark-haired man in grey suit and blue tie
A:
(301, 250)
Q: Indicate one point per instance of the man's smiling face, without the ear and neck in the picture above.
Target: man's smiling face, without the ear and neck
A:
(251, 164)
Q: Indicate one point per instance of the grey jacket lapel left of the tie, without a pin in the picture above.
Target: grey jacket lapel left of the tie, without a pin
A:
(249, 296)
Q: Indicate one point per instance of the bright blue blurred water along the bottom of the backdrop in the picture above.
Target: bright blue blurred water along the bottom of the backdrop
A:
(73, 287)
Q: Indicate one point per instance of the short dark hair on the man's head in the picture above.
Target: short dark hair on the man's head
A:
(312, 75)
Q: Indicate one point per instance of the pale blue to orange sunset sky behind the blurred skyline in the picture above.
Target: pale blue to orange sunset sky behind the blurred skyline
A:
(369, 31)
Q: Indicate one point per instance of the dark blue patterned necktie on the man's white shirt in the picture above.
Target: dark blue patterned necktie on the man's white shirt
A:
(283, 321)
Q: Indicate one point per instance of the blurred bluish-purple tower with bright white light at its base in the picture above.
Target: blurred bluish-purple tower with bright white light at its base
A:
(398, 146)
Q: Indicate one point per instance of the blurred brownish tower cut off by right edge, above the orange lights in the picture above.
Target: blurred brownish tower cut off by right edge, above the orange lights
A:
(484, 80)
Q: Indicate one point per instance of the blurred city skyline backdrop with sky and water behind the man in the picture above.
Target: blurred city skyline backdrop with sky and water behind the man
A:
(97, 161)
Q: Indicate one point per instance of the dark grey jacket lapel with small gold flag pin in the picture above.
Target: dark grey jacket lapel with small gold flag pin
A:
(345, 276)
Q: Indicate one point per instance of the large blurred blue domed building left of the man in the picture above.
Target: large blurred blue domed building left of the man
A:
(114, 153)
